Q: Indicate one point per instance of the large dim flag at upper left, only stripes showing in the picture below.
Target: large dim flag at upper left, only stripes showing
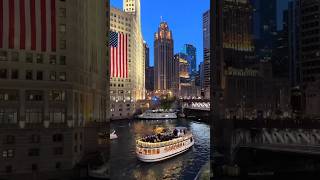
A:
(28, 24)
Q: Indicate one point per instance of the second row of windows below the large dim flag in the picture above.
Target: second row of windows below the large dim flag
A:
(32, 75)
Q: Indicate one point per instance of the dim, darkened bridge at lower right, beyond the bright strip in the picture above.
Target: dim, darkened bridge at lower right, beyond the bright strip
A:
(292, 136)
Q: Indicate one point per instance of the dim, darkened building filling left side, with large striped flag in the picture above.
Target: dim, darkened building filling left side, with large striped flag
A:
(54, 89)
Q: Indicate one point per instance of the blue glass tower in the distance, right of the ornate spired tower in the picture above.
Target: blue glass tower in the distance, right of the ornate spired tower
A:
(191, 53)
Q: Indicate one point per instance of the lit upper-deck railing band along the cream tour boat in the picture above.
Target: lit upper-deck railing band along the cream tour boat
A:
(162, 144)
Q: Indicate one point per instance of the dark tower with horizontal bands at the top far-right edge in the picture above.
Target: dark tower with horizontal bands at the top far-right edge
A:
(309, 41)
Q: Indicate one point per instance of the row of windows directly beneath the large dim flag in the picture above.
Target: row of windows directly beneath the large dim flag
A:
(32, 57)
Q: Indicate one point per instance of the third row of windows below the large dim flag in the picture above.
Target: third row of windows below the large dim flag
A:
(32, 95)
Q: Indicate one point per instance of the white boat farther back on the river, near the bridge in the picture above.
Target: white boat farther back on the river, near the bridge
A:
(158, 114)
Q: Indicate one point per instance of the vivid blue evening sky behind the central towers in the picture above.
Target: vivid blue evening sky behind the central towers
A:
(184, 18)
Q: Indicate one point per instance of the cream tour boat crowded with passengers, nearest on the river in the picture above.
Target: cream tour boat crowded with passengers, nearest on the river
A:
(164, 144)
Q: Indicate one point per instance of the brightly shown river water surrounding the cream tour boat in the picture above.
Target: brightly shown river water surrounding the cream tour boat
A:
(125, 165)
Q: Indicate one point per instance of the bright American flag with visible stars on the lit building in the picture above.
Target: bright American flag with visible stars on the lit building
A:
(118, 54)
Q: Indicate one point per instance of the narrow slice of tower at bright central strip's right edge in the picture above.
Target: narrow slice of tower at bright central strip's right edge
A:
(206, 54)
